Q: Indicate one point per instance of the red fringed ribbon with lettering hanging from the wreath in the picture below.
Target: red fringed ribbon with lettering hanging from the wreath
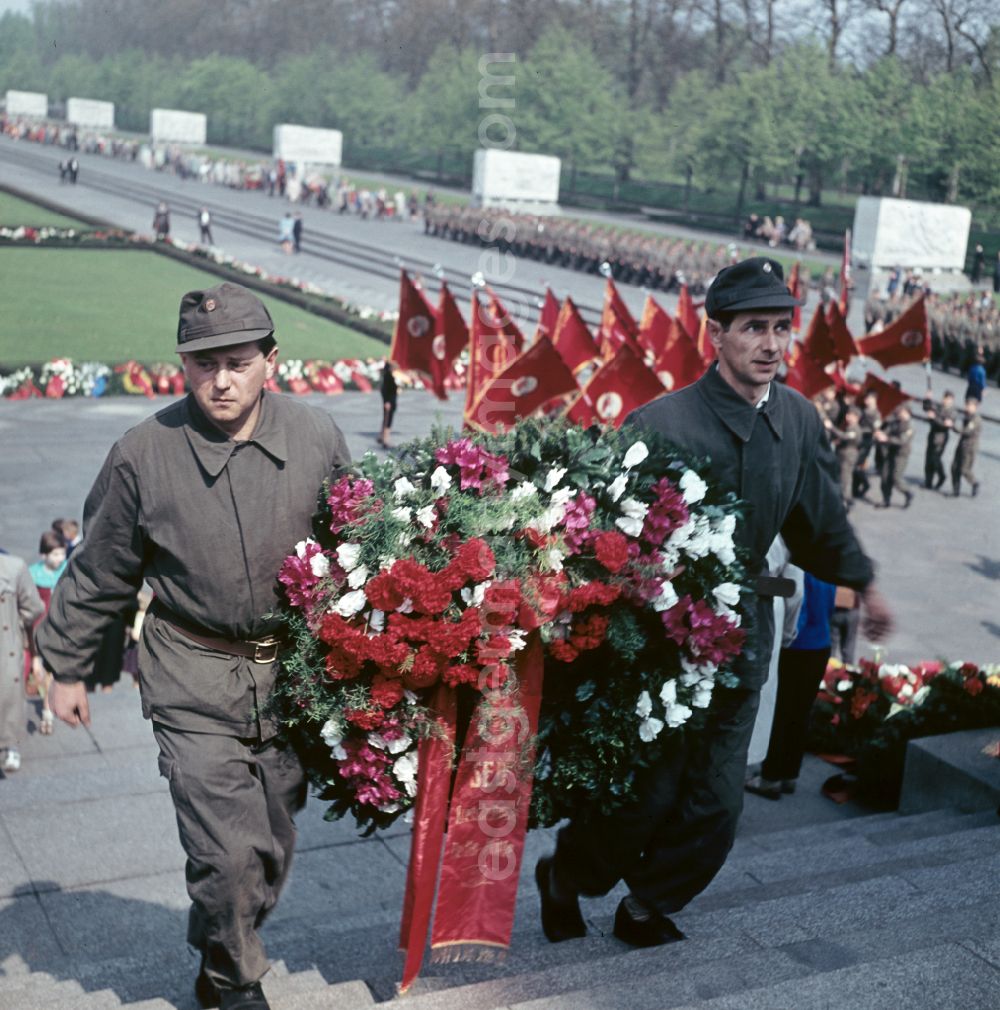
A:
(487, 821)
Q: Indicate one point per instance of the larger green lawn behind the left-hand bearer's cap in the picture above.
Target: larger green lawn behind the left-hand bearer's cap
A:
(113, 307)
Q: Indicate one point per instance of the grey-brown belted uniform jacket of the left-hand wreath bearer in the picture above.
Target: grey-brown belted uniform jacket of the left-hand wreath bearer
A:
(207, 522)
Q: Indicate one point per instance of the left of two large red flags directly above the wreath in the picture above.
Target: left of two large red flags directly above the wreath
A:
(531, 381)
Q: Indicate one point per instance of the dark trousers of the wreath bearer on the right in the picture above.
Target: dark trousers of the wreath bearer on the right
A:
(671, 843)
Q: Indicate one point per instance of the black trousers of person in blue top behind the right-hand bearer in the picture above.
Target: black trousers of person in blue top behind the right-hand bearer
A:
(799, 674)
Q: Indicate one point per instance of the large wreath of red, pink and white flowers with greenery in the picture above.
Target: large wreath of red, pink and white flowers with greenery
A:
(435, 567)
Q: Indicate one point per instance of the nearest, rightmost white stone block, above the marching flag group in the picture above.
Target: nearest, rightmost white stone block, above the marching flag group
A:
(890, 233)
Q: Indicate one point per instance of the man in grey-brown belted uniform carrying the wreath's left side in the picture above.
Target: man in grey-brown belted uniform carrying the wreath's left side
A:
(204, 501)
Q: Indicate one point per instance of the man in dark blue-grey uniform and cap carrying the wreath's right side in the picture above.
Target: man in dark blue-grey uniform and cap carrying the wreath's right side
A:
(765, 443)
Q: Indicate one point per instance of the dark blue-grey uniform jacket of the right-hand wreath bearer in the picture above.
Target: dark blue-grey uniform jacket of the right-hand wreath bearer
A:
(779, 461)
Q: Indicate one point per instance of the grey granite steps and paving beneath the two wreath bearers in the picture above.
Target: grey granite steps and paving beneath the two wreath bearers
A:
(853, 912)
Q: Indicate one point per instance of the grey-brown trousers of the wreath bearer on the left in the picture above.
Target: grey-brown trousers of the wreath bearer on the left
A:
(236, 802)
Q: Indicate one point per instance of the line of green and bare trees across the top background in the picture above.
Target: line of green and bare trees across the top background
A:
(891, 97)
